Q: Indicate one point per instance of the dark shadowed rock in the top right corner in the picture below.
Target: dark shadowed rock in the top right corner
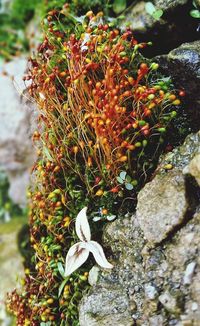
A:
(175, 26)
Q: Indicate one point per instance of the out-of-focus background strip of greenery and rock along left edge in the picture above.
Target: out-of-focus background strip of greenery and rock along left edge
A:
(18, 36)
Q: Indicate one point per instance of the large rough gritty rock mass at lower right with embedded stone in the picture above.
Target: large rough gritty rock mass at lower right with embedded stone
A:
(155, 253)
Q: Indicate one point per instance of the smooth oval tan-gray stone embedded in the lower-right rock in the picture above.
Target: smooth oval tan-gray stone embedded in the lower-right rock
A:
(162, 206)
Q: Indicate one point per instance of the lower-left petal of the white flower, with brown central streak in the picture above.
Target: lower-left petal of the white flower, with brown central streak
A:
(76, 256)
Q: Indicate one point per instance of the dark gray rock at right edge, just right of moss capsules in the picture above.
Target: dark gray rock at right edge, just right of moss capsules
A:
(183, 64)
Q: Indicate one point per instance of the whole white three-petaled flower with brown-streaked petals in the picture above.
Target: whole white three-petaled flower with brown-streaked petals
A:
(79, 252)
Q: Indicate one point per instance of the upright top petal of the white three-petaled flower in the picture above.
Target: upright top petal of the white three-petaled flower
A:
(82, 226)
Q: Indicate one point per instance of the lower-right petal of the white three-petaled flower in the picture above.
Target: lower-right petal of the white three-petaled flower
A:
(98, 254)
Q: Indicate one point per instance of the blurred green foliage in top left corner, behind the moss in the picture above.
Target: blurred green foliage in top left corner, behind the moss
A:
(13, 39)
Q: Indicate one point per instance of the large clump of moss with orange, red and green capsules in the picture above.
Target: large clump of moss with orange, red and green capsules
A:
(104, 112)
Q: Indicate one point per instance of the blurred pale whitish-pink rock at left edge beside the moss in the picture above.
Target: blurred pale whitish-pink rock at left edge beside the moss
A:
(17, 123)
